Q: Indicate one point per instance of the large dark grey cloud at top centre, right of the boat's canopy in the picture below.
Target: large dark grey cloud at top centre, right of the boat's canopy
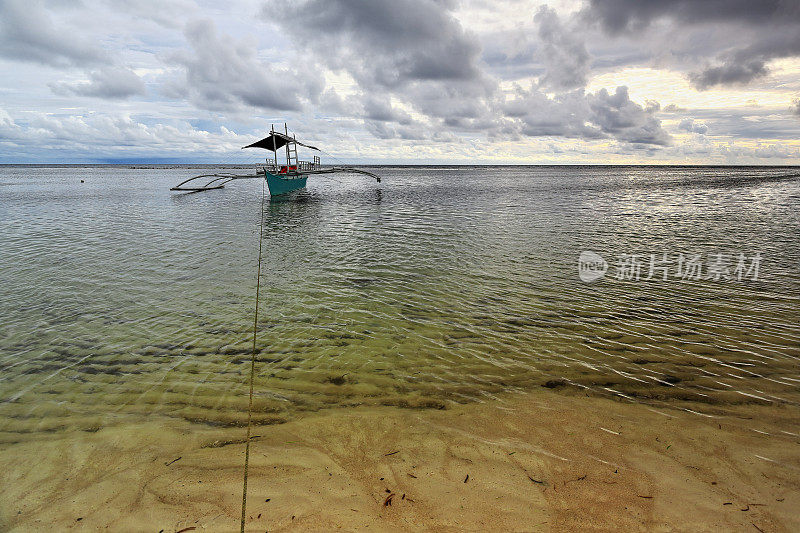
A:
(415, 51)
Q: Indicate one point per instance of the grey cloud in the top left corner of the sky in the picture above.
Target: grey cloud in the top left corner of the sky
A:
(28, 33)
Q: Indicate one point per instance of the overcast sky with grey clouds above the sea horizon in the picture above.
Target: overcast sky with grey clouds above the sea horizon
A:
(411, 81)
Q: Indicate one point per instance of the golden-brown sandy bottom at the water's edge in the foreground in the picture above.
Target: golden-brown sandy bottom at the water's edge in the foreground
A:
(540, 461)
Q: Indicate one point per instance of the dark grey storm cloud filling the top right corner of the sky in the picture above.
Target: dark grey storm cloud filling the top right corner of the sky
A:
(758, 31)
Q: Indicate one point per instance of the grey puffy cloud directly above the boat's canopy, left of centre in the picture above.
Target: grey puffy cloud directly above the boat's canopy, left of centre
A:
(223, 74)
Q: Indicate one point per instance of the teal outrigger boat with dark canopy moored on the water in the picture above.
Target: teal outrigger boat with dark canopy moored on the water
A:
(281, 179)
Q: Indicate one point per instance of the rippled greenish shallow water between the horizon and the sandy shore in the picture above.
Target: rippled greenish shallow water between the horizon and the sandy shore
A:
(122, 299)
